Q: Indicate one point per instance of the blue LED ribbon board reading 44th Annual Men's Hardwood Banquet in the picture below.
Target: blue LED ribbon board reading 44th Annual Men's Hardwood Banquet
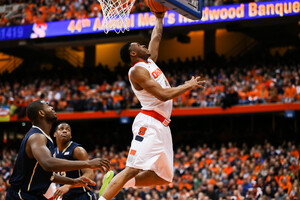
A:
(212, 14)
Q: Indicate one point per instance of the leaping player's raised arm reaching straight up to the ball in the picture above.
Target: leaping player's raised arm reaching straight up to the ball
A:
(156, 38)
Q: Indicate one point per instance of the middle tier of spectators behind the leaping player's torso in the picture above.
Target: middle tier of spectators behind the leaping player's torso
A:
(271, 79)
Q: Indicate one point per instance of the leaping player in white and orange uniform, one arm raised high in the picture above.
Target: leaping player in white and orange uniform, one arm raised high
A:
(150, 159)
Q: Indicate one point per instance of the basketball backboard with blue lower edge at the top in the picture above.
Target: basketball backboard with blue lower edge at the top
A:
(191, 9)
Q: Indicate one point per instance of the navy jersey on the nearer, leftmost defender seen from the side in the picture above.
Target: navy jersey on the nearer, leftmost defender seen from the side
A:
(28, 176)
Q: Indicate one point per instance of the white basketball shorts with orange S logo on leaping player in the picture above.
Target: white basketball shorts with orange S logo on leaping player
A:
(151, 147)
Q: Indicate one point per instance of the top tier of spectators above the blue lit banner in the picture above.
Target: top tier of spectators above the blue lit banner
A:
(19, 12)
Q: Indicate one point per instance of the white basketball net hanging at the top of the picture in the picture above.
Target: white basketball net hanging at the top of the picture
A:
(115, 15)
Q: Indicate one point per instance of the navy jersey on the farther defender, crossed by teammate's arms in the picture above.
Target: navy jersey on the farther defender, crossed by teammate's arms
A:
(67, 154)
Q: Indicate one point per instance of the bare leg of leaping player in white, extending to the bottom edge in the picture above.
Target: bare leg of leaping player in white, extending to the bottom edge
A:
(118, 182)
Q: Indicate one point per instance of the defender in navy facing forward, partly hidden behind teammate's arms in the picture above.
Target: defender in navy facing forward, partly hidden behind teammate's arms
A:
(69, 150)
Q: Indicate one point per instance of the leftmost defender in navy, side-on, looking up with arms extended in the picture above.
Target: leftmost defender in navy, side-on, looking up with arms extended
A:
(34, 167)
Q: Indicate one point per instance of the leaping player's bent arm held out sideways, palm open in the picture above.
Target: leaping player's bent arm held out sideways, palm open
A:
(140, 76)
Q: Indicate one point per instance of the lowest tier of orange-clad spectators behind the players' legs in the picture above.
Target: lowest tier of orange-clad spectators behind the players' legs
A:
(205, 172)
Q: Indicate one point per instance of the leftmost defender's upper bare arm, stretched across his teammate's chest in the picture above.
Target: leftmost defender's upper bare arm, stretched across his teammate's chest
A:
(36, 148)
